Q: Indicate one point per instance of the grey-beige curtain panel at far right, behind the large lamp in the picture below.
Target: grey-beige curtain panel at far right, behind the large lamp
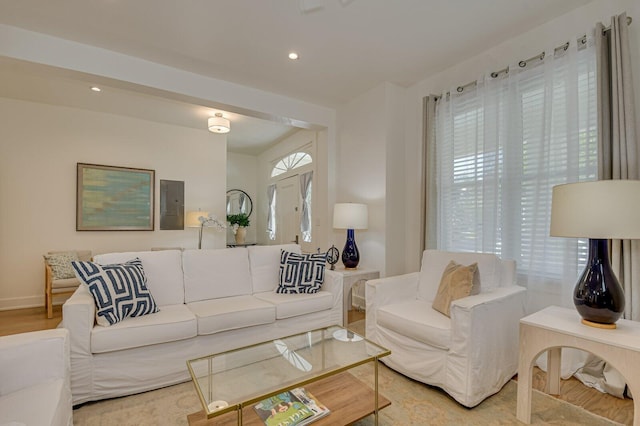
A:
(618, 145)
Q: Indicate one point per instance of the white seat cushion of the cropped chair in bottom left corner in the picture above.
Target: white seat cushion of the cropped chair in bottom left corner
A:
(41, 404)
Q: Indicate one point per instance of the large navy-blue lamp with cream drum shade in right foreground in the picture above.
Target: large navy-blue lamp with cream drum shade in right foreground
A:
(598, 210)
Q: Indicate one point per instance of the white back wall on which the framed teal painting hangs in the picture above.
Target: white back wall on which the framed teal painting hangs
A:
(39, 148)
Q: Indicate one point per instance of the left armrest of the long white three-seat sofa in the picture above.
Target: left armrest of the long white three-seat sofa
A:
(78, 316)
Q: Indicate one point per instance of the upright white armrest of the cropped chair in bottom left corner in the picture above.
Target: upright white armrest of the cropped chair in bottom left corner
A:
(27, 359)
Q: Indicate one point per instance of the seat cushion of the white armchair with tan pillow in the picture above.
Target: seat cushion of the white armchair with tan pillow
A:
(417, 320)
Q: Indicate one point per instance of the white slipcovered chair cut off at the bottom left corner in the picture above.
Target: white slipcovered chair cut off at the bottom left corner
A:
(34, 379)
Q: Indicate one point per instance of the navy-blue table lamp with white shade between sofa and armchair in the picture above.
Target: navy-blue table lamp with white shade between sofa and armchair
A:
(350, 216)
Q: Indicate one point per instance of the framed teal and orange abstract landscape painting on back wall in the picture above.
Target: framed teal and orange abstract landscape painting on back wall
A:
(114, 198)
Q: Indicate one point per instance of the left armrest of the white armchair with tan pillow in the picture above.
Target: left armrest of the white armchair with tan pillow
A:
(384, 291)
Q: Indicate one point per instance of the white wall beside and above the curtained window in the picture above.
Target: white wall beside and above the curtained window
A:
(553, 33)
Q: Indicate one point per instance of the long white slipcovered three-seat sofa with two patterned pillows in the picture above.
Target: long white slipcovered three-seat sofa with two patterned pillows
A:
(210, 301)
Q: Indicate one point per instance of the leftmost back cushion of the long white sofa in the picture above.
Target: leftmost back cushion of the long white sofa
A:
(163, 270)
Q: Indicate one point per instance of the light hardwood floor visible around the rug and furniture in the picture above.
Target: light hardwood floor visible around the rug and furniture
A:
(571, 391)
